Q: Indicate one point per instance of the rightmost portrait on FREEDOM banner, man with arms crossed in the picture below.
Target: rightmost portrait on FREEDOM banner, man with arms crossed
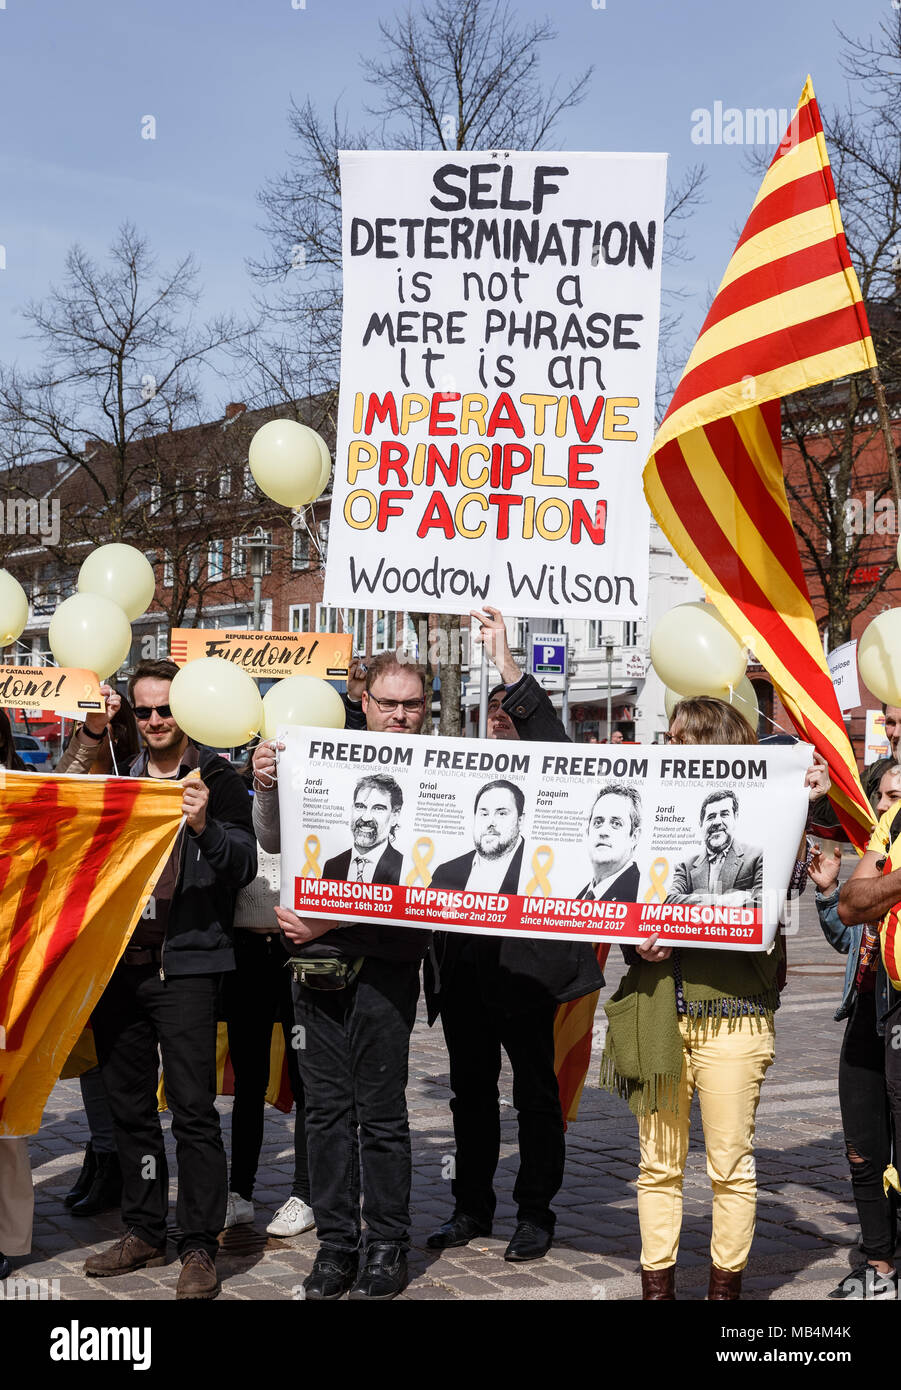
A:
(725, 871)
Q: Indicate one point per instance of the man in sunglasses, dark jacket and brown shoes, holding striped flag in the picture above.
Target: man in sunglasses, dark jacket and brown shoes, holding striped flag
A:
(163, 996)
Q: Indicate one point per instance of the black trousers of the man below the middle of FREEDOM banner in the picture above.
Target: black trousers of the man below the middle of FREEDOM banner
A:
(475, 1035)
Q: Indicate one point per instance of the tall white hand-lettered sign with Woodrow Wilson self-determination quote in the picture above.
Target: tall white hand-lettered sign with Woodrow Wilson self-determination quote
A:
(498, 361)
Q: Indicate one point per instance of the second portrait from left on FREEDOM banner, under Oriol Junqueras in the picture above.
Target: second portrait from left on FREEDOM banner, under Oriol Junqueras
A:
(496, 864)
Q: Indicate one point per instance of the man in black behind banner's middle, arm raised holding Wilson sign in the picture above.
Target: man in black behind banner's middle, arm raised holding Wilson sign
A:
(503, 993)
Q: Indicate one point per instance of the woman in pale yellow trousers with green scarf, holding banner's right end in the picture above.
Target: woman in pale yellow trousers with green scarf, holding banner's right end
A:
(699, 1021)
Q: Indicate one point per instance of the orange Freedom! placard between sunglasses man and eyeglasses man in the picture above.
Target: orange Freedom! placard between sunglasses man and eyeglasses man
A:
(266, 655)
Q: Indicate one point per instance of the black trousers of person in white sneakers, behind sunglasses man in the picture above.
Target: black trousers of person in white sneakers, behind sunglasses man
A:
(257, 995)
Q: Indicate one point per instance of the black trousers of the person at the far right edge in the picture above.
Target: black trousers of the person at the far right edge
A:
(867, 1124)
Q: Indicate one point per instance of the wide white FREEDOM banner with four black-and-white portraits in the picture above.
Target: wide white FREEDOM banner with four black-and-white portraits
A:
(542, 840)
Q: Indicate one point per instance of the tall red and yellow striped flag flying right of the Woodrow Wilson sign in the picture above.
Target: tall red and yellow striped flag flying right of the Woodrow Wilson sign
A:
(789, 315)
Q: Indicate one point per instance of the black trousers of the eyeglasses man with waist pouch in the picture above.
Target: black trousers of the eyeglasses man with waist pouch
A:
(354, 1063)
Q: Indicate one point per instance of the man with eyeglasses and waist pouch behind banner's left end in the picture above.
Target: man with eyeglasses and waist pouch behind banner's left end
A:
(357, 986)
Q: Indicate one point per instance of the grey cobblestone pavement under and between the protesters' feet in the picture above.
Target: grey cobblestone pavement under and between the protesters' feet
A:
(807, 1224)
